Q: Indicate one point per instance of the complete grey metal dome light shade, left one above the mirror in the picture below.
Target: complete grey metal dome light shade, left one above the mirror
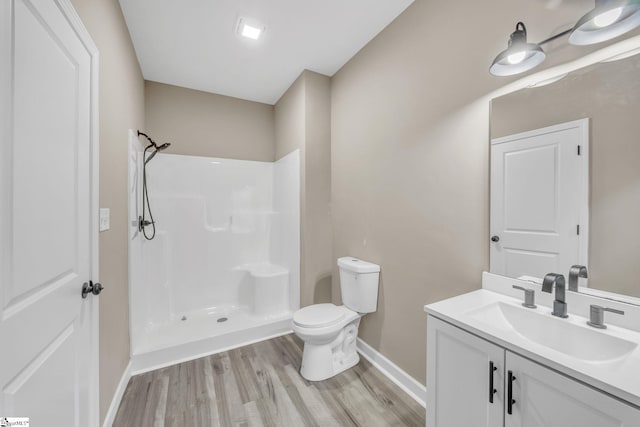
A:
(519, 56)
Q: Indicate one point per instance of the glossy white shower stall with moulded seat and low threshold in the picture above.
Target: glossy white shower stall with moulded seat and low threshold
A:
(223, 267)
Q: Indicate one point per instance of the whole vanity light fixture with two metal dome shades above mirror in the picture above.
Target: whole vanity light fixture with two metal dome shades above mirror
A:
(609, 19)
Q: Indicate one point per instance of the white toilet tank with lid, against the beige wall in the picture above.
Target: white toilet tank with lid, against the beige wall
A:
(359, 284)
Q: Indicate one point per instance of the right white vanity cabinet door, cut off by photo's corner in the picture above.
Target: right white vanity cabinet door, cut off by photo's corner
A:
(545, 398)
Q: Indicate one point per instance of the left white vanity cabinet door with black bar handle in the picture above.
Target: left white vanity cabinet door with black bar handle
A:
(458, 378)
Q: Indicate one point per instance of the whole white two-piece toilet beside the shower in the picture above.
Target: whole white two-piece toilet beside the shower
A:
(329, 332)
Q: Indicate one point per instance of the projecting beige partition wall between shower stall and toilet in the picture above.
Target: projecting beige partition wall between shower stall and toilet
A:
(303, 121)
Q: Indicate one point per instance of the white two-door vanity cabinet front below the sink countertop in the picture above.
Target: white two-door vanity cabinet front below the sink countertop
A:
(459, 388)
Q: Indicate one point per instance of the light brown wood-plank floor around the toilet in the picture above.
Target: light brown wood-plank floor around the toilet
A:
(259, 385)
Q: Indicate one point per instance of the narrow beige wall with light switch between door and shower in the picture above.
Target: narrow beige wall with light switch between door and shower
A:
(121, 108)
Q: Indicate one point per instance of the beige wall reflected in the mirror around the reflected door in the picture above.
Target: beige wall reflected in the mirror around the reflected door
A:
(609, 95)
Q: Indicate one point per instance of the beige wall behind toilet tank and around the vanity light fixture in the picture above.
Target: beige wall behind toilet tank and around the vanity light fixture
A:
(409, 152)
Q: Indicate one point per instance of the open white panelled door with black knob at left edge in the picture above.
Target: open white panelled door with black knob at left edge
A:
(48, 232)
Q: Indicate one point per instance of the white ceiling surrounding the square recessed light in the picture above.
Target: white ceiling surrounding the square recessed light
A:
(194, 43)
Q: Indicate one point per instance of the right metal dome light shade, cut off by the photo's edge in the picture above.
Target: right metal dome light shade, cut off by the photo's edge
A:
(609, 19)
